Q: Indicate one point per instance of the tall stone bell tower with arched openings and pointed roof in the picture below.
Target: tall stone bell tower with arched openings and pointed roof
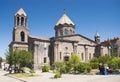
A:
(20, 31)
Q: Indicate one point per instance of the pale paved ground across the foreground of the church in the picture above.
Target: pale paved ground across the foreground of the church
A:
(48, 77)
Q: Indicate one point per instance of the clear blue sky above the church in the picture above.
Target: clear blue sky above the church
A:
(89, 16)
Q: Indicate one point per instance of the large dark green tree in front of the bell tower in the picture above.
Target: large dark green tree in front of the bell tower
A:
(19, 57)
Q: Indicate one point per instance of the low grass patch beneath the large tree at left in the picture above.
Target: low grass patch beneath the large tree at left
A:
(23, 75)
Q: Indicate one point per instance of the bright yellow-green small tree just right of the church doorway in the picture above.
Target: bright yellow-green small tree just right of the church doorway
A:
(74, 60)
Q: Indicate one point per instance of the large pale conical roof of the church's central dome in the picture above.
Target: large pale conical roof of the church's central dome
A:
(64, 19)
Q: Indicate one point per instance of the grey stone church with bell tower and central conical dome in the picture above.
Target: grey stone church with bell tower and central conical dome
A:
(58, 48)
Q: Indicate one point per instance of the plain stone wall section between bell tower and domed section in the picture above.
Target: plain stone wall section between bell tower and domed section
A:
(41, 54)
